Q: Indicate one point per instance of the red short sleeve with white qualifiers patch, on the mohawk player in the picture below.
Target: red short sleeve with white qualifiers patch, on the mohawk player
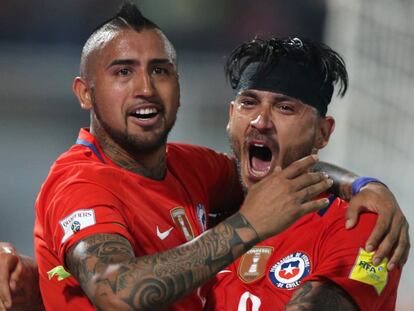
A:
(80, 210)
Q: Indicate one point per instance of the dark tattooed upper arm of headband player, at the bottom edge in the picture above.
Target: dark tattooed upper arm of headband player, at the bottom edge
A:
(321, 296)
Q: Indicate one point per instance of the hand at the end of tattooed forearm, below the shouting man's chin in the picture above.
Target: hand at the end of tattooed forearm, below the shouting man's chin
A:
(278, 200)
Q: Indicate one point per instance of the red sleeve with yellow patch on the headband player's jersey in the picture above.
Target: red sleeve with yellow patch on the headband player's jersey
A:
(340, 260)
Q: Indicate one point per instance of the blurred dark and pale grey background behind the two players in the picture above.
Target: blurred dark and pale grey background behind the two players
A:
(40, 44)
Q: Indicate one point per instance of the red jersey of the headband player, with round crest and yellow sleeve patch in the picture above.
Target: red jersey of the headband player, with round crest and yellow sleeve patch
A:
(317, 247)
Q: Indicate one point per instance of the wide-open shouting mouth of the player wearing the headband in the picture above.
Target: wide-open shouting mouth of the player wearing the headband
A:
(260, 159)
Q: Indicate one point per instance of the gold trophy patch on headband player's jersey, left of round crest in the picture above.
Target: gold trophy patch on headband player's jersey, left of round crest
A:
(252, 265)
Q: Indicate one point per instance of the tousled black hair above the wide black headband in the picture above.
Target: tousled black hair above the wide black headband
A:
(269, 52)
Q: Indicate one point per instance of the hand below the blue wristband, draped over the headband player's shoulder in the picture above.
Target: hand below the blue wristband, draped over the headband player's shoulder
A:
(391, 230)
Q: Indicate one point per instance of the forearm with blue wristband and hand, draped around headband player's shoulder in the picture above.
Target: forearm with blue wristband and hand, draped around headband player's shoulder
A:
(391, 230)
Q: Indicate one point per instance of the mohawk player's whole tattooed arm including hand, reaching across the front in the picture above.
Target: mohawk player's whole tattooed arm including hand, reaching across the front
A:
(114, 279)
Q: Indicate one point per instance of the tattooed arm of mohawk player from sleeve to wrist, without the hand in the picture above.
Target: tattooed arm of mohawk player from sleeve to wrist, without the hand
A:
(106, 268)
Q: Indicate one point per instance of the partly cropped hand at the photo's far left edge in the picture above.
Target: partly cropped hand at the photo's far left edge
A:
(10, 272)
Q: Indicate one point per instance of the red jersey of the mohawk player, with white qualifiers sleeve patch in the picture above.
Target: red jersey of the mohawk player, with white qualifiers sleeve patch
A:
(86, 193)
